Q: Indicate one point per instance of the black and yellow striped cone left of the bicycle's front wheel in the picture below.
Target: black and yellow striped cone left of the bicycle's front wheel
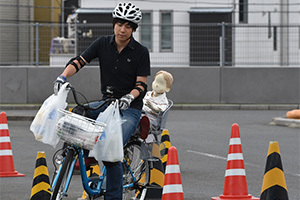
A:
(41, 182)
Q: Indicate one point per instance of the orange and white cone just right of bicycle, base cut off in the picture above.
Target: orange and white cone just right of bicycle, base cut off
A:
(172, 184)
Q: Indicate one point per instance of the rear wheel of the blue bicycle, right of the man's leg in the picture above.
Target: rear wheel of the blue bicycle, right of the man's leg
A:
(134, 170)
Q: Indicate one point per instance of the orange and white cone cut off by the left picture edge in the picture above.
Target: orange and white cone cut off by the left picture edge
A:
(7, 168)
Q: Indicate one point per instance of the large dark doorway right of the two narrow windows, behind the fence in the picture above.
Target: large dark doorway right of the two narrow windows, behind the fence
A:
(205, 33)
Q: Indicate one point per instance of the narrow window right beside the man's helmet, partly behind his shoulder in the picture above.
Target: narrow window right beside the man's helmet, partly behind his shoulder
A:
(146, 30)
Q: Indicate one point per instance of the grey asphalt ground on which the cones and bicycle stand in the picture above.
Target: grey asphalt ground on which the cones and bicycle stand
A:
(201, 135)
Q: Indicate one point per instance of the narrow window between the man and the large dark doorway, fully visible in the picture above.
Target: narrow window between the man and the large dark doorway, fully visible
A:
(166, 31)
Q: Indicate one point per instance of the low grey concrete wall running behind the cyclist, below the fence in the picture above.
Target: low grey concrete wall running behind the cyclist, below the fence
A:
(205, 85)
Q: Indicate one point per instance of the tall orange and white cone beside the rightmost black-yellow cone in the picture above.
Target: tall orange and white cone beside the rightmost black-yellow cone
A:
(235, 184)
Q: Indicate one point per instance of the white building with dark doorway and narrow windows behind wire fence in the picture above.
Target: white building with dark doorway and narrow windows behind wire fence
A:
(209, 33)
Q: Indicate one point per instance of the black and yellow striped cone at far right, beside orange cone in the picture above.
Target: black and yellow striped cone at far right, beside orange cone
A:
(274, 186)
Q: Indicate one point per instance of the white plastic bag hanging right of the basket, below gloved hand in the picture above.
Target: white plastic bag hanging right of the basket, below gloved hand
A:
(109, 146)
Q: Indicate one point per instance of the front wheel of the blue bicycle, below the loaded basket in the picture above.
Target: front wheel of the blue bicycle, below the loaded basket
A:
(59, 188)
